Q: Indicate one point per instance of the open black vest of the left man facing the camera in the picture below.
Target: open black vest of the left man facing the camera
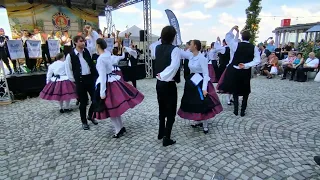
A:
(76, 66)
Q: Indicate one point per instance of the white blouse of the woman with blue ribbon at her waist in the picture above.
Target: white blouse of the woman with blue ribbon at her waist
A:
(199, 64)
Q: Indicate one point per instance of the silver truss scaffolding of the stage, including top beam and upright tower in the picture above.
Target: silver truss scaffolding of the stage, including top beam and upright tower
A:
(147, 27)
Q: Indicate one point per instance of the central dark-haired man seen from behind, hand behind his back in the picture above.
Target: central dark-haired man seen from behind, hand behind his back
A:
(167, 64)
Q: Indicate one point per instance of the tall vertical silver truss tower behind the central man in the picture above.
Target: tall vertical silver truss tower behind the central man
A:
(147, 37)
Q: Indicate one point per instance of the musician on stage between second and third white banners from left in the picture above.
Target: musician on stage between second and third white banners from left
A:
(44, 46)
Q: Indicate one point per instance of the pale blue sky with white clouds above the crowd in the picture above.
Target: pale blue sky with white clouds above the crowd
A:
(207, 19)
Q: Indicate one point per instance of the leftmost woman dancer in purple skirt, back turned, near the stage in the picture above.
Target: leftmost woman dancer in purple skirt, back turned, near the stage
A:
(59, 87)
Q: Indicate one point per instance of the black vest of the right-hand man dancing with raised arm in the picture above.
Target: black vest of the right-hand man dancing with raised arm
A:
(243, 54)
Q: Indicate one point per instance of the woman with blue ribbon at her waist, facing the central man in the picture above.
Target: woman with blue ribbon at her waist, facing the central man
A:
(199, 102)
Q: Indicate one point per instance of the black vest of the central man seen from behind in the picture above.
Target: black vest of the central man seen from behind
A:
(163, 59)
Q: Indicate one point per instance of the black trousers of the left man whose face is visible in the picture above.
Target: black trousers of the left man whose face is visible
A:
(84, 87)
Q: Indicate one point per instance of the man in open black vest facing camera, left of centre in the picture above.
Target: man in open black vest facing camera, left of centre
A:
(81, 70)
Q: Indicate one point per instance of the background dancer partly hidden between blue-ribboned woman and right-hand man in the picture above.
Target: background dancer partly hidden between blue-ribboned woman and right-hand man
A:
(212, 64)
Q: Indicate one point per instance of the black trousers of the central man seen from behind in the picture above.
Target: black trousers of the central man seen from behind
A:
(167, 99)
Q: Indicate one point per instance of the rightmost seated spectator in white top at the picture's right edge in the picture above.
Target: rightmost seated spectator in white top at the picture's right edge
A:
(311, 64)
